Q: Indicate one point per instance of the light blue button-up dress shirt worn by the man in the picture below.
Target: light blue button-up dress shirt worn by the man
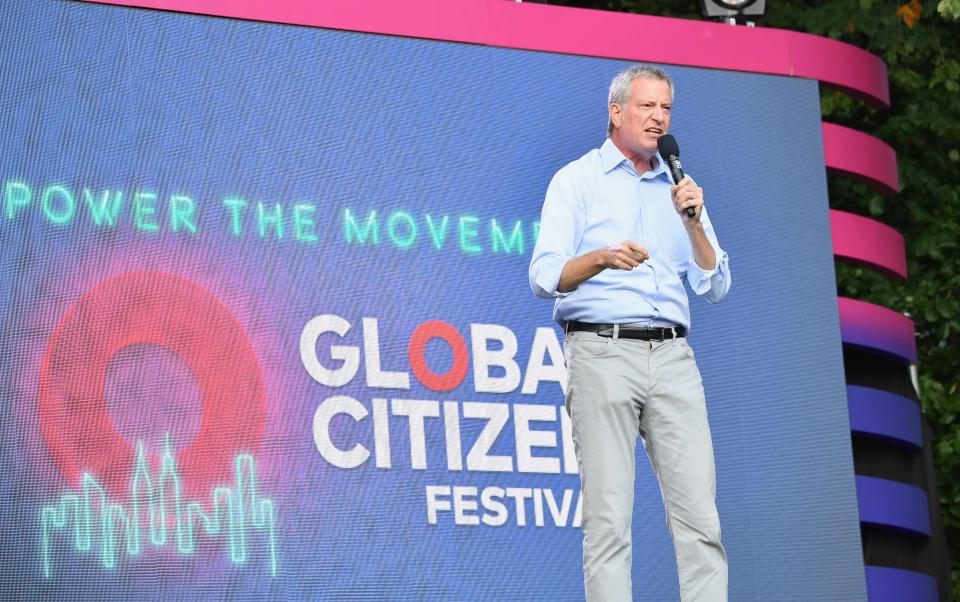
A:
(600, 200)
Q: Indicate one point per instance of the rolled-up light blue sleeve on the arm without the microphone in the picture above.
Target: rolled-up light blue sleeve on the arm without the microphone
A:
(561, 228)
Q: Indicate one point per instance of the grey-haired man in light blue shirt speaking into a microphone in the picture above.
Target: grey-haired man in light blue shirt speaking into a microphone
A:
(615, 242)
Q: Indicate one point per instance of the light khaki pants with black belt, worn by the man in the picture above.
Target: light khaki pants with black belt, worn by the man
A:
(617, 389)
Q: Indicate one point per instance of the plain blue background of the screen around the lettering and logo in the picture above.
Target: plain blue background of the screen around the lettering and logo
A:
(109, 97)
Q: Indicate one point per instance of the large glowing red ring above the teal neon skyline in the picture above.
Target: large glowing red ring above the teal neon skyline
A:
(171, 312)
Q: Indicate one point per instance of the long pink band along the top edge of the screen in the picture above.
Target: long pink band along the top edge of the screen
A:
(526, 26)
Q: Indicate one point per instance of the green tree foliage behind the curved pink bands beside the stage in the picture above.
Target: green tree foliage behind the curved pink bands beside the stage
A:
(921, 46)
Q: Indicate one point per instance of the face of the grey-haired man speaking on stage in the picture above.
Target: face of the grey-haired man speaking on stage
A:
(642, 118)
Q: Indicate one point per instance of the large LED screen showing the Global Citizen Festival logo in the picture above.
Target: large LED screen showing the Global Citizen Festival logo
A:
(267, 331)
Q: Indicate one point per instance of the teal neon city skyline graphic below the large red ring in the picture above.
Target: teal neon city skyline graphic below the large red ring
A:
(234, 513)
